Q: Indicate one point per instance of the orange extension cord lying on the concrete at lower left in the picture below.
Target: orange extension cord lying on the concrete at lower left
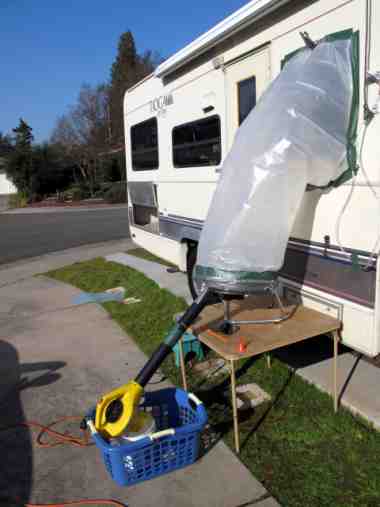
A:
(61, 439)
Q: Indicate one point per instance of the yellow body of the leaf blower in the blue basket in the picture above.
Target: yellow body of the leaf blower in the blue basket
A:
(129, 395)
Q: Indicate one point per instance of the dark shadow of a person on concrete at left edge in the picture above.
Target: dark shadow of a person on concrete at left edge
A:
(16, 457)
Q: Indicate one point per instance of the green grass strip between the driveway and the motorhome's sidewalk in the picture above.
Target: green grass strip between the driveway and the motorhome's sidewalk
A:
(302, 452)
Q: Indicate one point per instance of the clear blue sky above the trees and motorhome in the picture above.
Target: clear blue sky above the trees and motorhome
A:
(48, 48)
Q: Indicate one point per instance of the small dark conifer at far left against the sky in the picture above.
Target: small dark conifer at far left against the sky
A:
(20, 166)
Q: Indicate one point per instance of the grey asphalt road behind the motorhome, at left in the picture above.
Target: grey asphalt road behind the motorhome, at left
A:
(31, 234)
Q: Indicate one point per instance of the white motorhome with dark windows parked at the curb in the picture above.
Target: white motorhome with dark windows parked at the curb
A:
(180, 123)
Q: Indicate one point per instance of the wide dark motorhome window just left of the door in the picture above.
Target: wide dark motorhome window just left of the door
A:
(197, 143)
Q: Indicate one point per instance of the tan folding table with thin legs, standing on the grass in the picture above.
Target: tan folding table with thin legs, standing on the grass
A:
(254, 339)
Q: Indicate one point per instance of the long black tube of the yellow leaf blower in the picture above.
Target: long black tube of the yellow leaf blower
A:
(164, 349)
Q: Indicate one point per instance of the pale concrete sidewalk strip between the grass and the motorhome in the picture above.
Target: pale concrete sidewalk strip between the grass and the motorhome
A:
(358, 381)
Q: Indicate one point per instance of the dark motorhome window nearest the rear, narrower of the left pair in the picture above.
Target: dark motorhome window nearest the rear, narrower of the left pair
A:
(144, 144)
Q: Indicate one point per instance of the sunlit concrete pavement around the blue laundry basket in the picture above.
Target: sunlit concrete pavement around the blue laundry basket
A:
(55, 360)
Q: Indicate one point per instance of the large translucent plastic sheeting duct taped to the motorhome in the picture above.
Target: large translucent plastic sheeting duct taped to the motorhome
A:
(297, 135)
